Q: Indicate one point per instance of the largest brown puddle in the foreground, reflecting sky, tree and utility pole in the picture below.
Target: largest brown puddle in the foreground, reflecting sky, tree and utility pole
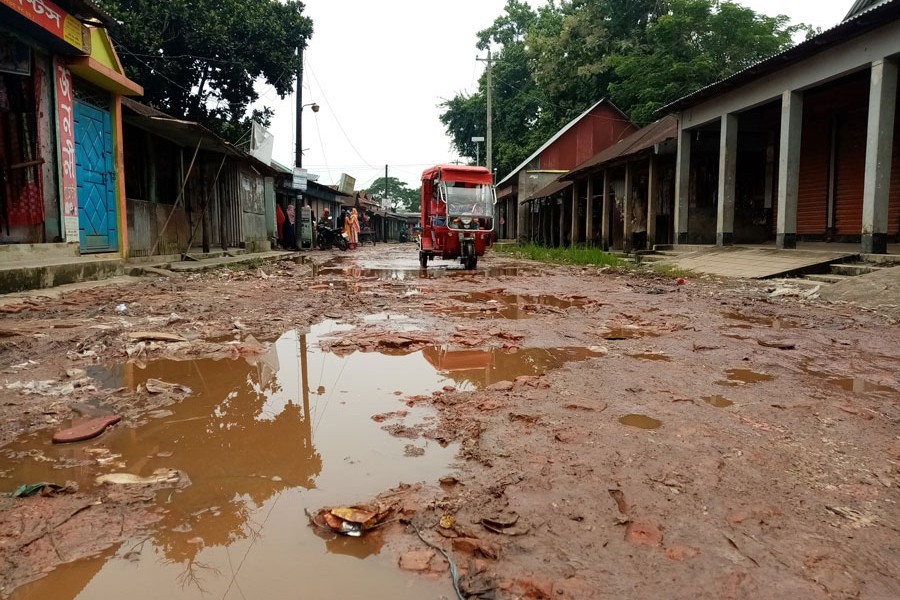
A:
(261, 439)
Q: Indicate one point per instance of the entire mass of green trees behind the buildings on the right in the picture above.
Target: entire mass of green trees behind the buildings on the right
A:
(554, 62)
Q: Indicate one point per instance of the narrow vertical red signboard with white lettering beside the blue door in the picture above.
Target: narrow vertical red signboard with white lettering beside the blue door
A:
(65, 106)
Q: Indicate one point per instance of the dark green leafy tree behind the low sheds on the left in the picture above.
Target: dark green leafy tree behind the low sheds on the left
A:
(199, 59)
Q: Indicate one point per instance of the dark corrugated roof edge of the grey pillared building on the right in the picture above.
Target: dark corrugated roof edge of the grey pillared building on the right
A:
(863, 17)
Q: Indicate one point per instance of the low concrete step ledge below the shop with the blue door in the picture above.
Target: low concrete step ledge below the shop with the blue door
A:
(36, 274)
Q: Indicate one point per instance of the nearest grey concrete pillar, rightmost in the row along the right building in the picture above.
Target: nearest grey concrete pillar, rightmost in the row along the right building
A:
(879, 149)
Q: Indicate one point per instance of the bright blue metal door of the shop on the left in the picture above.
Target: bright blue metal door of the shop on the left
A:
(98, 227)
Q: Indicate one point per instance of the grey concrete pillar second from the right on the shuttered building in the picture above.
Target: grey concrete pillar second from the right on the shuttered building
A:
(789, 168)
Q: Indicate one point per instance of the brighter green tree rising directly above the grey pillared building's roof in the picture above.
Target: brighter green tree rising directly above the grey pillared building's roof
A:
(695, 44)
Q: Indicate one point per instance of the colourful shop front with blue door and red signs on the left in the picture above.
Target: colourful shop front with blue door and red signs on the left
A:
(60, 89)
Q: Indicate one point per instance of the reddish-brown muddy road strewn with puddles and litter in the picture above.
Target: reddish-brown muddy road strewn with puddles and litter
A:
(557, 432)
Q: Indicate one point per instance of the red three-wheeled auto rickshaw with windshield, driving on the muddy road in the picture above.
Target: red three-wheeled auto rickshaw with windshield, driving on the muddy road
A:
(457, 214)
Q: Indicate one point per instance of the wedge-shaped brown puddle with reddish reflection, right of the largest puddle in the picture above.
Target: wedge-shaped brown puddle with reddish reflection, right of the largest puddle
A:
(477, 369)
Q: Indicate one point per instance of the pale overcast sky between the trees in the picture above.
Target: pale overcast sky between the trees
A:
(379, 71)
